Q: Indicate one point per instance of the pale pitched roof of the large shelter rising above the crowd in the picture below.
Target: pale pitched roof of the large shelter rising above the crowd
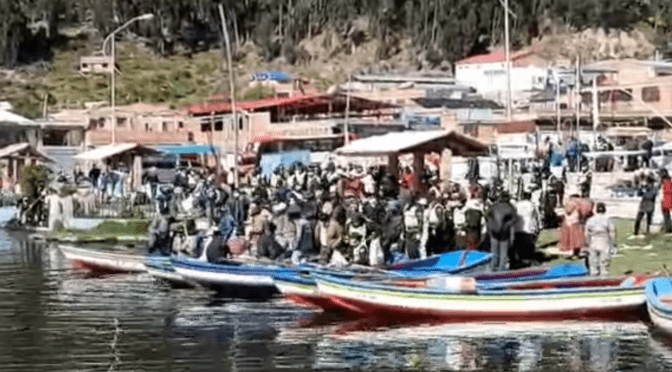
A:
(410, 142)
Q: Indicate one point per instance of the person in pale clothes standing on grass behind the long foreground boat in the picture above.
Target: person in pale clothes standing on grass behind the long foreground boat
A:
(601, 241)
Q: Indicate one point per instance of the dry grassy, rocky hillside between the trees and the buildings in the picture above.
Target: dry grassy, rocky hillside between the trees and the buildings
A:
(145, 76)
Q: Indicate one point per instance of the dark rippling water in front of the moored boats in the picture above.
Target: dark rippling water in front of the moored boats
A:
(55, 319)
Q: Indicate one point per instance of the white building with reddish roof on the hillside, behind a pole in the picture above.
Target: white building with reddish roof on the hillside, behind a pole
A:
(487, 74)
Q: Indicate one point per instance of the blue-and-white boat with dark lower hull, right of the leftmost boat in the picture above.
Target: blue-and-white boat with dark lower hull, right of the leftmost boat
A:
(236, 278)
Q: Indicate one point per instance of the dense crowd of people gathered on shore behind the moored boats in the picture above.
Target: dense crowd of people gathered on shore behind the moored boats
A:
(341, 215)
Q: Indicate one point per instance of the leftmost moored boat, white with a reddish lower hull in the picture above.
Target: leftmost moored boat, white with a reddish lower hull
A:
(98, 261)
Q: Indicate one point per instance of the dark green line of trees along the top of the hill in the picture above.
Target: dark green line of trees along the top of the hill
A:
(446, 29)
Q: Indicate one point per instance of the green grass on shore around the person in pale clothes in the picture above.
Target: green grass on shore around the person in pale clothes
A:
(635, 255)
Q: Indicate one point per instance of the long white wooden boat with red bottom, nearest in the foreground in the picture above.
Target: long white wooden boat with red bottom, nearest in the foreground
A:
(458, 298)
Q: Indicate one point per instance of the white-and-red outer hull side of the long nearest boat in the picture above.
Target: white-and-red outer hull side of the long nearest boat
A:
(613, 304)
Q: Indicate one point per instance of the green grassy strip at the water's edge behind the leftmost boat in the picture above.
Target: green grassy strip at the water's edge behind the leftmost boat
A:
(129, 230)
